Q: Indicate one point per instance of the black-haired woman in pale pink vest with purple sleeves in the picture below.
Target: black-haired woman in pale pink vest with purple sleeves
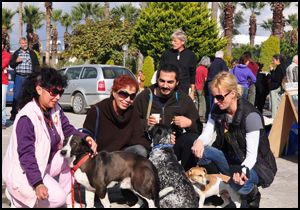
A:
(33, 160)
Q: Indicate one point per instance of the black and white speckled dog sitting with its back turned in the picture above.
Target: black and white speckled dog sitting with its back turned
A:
(170, 172)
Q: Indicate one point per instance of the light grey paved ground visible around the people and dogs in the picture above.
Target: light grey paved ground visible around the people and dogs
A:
(283, 193)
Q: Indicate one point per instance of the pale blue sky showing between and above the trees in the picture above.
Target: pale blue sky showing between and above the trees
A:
(67, 6)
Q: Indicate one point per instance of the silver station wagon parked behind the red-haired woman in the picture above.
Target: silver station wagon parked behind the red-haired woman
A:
(89, 84)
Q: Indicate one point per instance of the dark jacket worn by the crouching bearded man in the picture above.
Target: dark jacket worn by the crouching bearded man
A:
(182, 105)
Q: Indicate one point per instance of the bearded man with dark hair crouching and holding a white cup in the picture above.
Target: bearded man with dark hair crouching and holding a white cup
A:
(176, 109)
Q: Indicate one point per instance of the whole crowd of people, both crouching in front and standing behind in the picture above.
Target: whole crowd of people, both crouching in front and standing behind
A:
(183, 96)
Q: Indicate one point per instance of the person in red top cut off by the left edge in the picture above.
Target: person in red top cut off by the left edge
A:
(5, 61)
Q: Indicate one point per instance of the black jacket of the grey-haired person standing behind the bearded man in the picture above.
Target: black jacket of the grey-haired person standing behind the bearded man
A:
(186, 63)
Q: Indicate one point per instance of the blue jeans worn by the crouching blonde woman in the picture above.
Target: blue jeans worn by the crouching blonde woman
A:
(212, 154)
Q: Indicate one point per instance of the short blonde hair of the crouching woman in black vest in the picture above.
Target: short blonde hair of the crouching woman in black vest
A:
(226, 81)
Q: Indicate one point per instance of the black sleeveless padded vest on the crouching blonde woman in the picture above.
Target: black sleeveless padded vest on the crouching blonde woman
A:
(233, 144)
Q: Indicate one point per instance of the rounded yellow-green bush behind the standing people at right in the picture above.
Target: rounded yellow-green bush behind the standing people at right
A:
(269, 48)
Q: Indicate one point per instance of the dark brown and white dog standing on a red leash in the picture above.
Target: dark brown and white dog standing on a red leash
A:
(135, 172)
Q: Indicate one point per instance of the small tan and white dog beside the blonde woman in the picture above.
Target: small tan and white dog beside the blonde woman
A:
(207, 185)
